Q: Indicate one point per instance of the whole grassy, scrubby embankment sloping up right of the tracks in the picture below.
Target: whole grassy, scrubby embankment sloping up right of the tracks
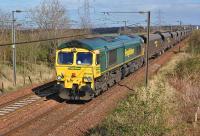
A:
(169, 105)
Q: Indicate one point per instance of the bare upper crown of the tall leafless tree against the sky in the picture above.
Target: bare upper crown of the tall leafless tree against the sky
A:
(50, 14)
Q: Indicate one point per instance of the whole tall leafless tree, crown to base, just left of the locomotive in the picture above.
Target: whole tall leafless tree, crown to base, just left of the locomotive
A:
(51, 18)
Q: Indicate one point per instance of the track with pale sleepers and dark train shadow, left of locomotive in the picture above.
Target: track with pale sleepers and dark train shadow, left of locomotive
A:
(40, 93)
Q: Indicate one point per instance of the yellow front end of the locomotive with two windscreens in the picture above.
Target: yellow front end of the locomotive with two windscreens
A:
(77, 68)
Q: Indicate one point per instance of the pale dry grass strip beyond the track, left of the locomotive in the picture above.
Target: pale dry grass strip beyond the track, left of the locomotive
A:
(27, 74)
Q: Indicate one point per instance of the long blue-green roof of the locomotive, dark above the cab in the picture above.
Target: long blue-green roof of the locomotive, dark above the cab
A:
(101, 43)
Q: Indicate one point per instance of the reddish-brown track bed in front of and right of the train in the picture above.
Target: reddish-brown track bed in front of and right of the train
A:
(75, 119)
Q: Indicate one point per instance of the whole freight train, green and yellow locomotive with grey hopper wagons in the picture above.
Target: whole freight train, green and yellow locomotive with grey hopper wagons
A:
(87, 67)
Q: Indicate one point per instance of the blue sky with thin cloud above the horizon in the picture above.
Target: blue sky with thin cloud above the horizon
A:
(188, 11)
